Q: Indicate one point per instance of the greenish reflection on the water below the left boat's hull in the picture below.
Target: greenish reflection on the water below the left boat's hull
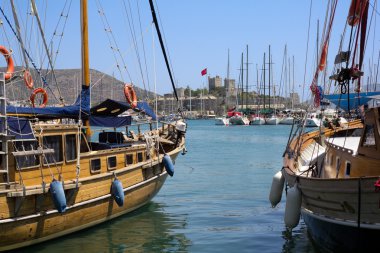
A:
(148, 229)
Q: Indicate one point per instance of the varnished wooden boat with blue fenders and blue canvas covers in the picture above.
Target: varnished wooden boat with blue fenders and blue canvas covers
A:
(56, 180)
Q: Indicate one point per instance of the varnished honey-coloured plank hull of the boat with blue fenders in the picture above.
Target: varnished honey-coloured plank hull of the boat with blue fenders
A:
(89, 207)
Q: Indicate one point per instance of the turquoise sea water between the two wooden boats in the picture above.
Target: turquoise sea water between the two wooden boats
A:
(217, 201)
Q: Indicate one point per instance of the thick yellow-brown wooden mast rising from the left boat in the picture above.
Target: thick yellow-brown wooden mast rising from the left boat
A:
(85, 56)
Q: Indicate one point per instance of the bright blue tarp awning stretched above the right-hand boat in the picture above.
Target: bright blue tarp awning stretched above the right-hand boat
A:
(356, 99)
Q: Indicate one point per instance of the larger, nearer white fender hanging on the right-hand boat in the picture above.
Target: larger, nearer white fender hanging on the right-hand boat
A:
(293, 207)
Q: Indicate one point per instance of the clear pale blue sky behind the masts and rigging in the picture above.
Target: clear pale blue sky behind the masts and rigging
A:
(197, 33)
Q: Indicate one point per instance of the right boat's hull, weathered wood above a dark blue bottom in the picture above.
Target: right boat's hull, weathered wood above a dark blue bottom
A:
(332, 208)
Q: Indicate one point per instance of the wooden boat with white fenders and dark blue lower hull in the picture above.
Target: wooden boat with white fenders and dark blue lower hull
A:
(332, 177)
